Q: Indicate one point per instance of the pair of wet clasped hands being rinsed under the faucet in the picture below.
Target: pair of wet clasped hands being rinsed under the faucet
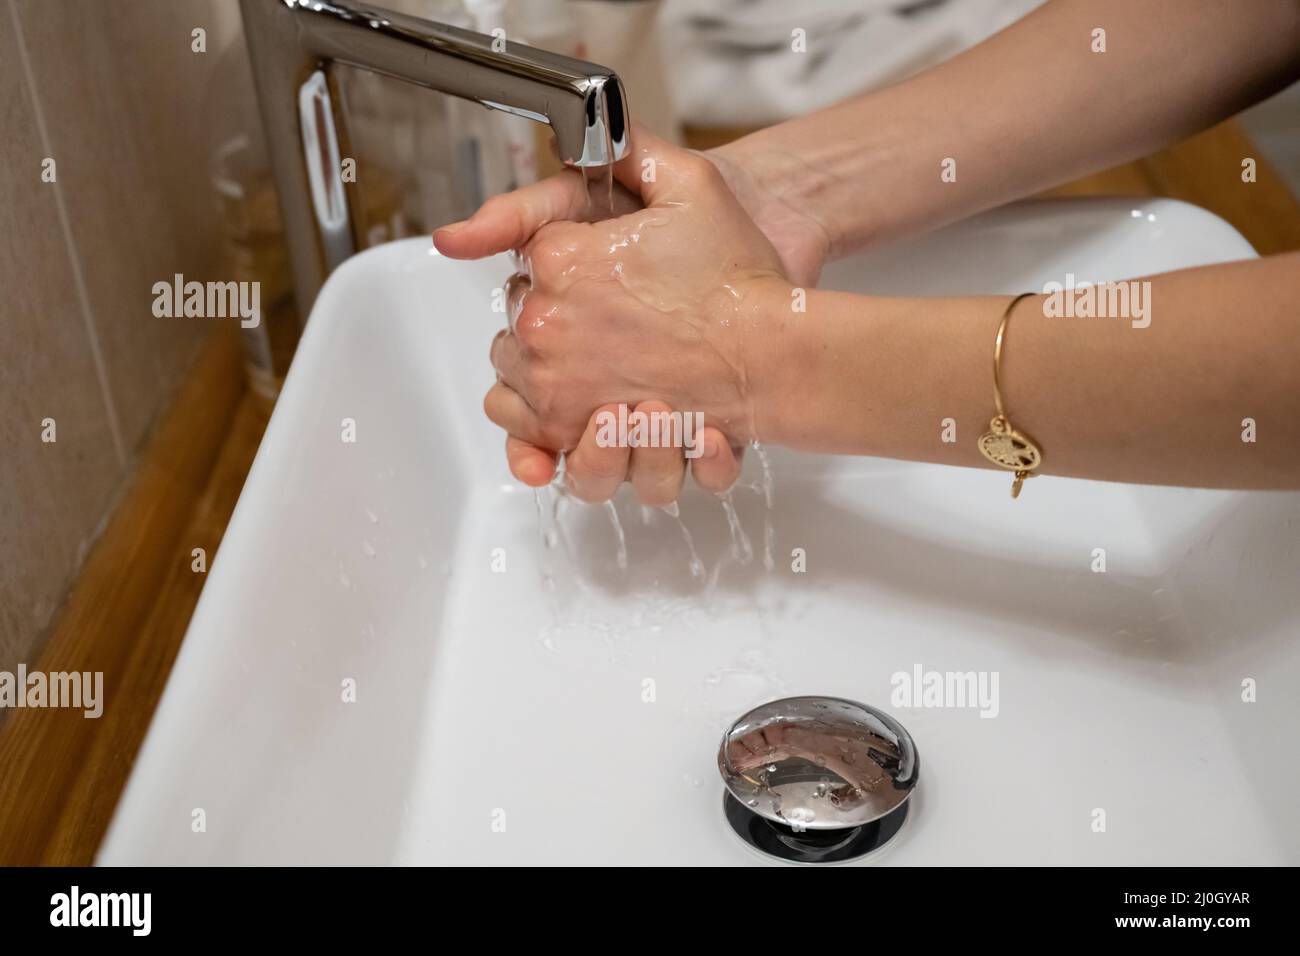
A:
(638, 310)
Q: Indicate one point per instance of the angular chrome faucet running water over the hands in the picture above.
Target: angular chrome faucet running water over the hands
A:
(294, 45)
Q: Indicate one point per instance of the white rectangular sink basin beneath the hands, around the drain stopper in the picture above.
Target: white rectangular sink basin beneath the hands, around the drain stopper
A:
(522, 703)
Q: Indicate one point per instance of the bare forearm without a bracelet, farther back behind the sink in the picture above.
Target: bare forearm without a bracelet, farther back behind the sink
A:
(1030, 109)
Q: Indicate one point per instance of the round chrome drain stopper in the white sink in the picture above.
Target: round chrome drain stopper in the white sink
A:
(817, 780)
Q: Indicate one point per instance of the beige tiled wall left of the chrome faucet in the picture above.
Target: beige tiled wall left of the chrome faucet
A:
(114, 93)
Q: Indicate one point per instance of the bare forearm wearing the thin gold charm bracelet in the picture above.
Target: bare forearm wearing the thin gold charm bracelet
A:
(1104, 400)
